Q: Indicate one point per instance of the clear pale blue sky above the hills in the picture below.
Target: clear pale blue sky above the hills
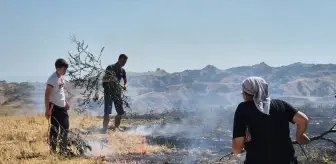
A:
(174, 34)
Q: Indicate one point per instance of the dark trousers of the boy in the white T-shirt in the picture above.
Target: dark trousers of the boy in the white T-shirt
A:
(59, 126)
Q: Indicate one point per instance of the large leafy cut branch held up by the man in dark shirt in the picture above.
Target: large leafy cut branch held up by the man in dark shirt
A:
(85, 72)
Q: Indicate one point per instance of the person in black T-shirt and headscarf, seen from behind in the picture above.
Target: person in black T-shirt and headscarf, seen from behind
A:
(261, 126)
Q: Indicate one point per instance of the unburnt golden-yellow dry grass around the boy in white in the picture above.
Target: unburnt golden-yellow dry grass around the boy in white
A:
(24, 140)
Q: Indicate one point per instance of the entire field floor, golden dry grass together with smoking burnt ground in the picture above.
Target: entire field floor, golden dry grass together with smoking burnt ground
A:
(148, 139)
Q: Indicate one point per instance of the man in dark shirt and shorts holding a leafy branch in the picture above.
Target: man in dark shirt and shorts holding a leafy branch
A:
(113, 91)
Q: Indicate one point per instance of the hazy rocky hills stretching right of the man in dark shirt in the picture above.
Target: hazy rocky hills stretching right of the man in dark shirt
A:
(212, 87)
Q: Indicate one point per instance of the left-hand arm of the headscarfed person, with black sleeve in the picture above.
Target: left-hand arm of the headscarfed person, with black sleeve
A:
(238, 131)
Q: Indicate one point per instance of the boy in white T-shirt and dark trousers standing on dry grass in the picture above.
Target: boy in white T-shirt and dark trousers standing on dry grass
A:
(56, 107)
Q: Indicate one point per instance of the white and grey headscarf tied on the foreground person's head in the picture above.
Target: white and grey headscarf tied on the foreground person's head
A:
(258, 87)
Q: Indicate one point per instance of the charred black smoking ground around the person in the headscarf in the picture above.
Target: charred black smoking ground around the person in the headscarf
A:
(205, 137)
